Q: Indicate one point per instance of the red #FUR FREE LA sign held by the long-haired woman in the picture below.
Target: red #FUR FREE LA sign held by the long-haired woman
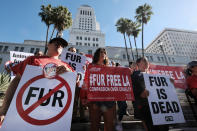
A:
(108, 83)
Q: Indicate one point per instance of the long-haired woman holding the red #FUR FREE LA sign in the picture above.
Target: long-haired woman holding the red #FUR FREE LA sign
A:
(98, 108)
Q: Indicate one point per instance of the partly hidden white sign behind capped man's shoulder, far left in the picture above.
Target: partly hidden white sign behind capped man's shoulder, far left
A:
(17, 57)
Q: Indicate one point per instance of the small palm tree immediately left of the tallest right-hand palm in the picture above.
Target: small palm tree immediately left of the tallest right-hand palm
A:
(135, 33)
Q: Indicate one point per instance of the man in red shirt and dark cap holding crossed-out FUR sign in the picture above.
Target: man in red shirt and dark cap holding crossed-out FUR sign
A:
(55, 48)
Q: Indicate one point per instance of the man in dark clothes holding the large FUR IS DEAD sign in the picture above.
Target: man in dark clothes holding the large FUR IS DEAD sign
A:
(141, 107)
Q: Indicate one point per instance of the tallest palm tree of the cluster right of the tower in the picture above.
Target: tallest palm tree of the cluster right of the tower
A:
(143, 15)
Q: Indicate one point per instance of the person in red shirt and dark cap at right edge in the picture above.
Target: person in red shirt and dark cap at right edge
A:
(192, 77)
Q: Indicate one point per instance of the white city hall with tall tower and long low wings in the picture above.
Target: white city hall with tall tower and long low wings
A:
(86, 37)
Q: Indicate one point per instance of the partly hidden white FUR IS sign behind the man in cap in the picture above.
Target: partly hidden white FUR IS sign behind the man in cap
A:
(76, 61)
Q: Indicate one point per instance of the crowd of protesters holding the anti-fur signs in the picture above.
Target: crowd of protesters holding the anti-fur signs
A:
(97, 109)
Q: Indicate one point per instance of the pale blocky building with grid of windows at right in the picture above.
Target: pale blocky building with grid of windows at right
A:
(175, 42)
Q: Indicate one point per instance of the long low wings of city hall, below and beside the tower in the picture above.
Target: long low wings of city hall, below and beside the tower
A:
(116, 54)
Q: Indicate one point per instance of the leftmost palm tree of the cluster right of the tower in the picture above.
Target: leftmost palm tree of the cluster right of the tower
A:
(122, 26)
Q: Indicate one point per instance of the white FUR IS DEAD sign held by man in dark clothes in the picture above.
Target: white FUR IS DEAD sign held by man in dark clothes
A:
(163, 101)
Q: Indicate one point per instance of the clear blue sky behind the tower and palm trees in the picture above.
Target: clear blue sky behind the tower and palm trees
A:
(20, 21)
